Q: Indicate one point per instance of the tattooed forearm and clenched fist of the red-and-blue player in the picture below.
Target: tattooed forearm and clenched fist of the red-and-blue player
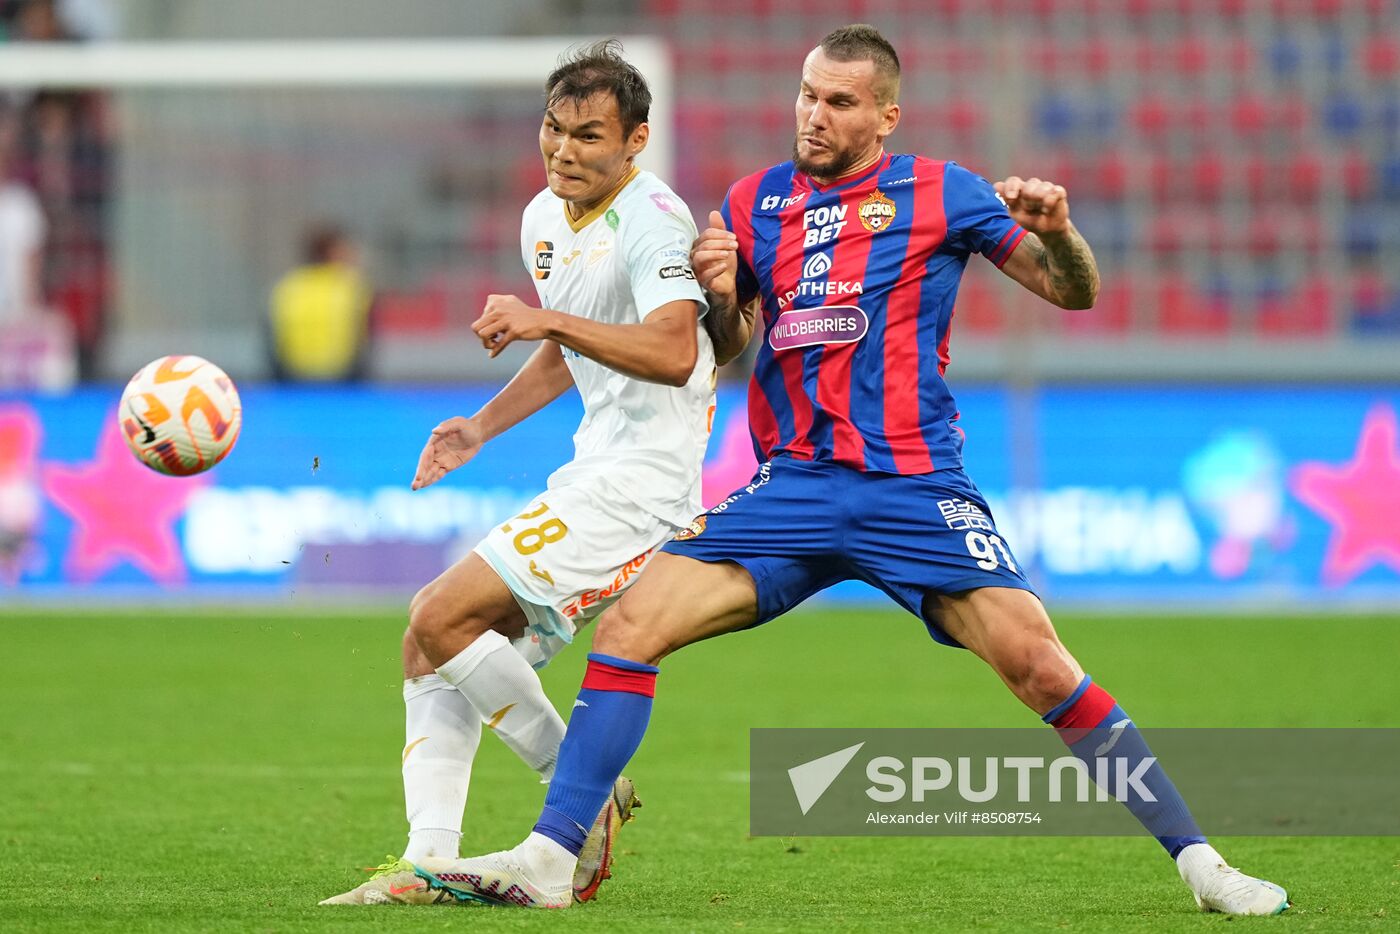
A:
(1053, 260)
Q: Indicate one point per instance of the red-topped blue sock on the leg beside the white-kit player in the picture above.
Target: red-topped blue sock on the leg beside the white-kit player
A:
(604, 732)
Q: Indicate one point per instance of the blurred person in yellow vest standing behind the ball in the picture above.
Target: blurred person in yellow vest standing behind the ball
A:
(321, 313)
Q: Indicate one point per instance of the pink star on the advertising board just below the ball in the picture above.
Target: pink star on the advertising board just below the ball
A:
(121, 510)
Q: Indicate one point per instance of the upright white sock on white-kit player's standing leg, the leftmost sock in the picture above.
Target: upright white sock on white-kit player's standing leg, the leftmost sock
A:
(442, 734)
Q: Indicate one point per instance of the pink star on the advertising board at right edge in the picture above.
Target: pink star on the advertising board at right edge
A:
(1361, 499)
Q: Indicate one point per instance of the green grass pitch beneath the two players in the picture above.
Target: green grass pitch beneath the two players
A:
(223, 771)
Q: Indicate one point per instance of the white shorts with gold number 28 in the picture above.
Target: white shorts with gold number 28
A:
(568, 557)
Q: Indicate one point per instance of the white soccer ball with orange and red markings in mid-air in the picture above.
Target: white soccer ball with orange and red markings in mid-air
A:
(181, 415)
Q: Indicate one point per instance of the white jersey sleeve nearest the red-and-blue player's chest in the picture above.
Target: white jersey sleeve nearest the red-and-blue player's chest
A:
(659, 256)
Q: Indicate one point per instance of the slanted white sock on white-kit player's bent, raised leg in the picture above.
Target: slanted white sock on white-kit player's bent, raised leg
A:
(507, 695)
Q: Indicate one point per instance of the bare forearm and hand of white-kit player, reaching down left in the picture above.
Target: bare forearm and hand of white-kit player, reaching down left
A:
(456, 442)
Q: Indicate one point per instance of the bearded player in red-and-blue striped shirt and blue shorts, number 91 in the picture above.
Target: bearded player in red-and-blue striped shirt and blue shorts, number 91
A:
(855, 257)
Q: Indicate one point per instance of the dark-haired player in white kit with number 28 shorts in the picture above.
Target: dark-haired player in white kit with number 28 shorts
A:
(619, 319)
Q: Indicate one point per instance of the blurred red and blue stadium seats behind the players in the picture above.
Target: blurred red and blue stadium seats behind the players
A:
(1245, 139)
